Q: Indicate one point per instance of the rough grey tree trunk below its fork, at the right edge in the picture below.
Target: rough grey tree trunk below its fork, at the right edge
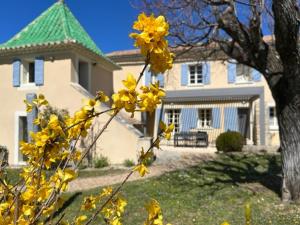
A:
(288, 113)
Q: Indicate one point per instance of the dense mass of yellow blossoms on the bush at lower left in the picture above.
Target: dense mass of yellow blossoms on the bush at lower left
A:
(50, 147)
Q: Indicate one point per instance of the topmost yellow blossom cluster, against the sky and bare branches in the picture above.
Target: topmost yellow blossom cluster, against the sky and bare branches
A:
(152, 41)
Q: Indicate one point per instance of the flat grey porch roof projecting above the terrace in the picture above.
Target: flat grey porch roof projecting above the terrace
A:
(218, 94)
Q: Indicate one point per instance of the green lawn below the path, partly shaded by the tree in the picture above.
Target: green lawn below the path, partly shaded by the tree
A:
(208, 194)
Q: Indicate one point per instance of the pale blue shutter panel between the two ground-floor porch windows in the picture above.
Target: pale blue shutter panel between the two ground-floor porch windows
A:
(189, 118)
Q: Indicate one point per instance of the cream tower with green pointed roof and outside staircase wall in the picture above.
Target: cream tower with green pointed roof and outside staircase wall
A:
(55, 56)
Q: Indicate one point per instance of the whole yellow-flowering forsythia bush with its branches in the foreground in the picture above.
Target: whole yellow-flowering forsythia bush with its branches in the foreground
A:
(36, 197)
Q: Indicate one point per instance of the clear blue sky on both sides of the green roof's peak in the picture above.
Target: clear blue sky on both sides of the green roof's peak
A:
(108, 22)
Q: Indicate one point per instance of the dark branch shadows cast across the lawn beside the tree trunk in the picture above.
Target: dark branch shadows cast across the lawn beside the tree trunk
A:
(234, 169)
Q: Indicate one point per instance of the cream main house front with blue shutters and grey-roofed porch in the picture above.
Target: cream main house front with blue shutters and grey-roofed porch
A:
(210, 94)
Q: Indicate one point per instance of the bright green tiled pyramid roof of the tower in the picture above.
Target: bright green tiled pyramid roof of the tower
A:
(54, 26)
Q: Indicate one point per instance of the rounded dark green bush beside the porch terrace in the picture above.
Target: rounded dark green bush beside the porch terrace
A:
(230, 141)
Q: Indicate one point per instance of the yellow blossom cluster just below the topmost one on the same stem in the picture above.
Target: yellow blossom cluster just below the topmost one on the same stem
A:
(131, 100)
